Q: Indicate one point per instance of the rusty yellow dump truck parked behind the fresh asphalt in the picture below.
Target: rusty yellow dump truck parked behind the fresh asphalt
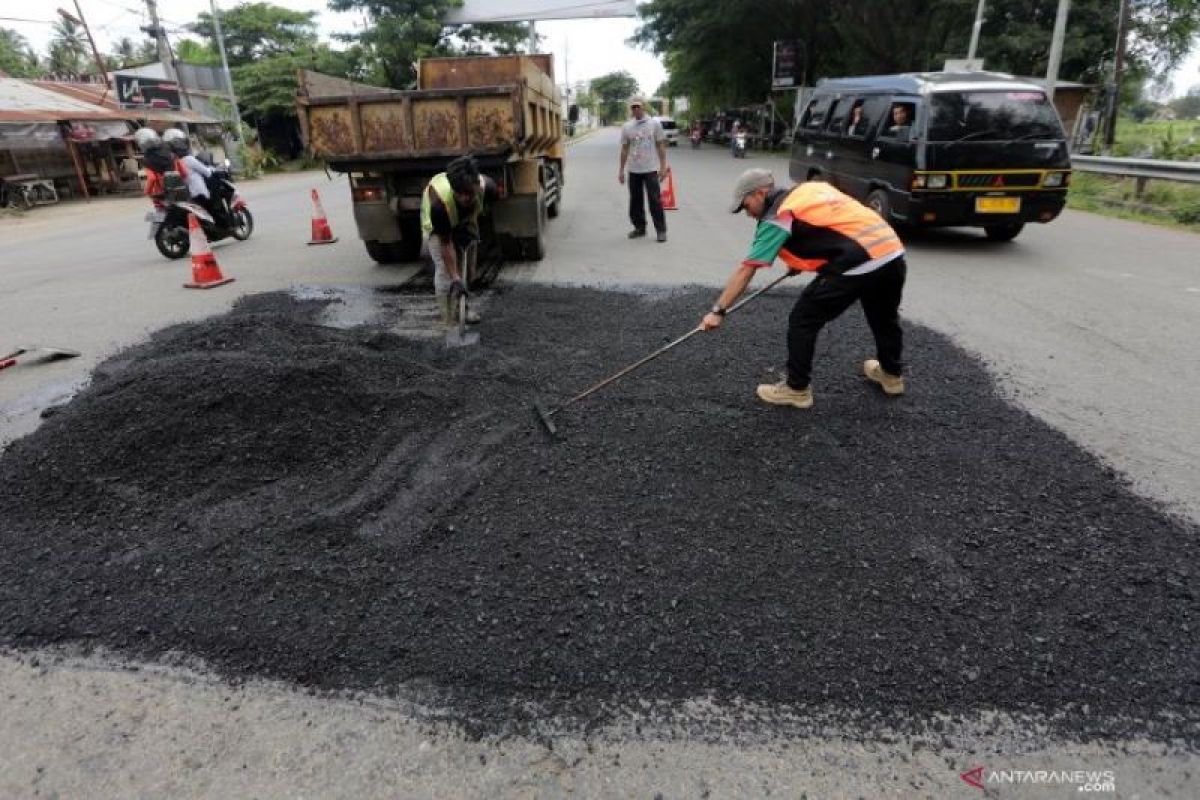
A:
(503, 111)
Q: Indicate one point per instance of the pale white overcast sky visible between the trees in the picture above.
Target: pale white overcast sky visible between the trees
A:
(593, 47)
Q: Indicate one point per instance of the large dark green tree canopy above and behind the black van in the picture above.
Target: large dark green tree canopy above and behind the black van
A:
(719, 53)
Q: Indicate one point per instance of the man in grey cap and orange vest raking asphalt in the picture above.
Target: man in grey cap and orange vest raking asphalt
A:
(855, 255)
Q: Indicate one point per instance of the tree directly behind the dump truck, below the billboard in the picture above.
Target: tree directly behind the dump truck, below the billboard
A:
(404, 32)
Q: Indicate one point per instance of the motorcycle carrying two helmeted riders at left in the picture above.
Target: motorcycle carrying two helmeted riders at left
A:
(169, 220)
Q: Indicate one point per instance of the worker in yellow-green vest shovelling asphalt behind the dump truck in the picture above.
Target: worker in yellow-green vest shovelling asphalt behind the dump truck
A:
(451, 209)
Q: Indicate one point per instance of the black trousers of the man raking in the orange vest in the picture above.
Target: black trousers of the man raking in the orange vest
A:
(827, 297)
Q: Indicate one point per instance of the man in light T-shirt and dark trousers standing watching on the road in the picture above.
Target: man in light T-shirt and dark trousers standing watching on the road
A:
(644, 149)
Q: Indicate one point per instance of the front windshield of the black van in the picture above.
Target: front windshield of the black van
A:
(993, 116)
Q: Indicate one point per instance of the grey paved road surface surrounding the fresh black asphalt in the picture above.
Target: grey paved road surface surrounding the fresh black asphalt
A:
(1089, 323)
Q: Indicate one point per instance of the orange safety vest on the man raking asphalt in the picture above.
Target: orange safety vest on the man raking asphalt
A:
(832, 227)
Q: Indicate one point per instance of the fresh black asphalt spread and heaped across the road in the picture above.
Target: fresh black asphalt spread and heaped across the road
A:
(353, 510)
